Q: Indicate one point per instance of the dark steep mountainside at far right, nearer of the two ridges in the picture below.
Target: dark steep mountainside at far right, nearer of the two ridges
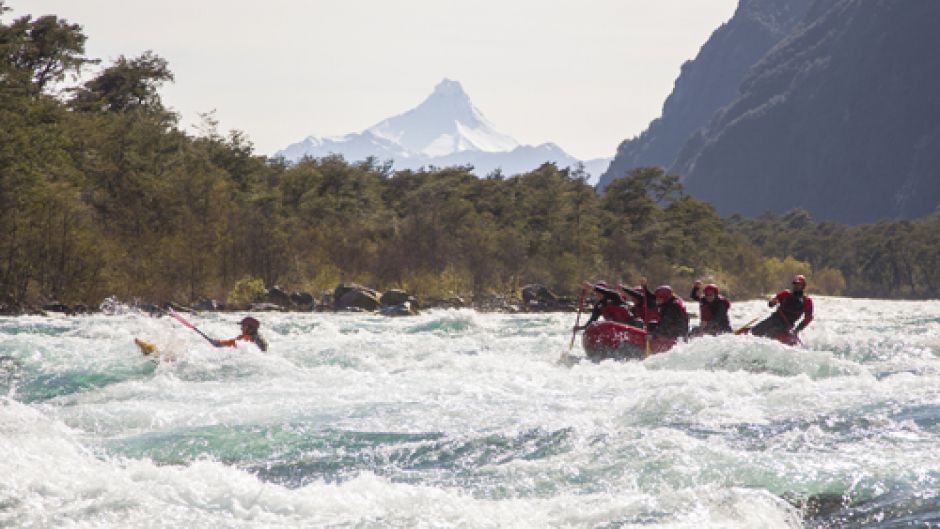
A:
(842, 118)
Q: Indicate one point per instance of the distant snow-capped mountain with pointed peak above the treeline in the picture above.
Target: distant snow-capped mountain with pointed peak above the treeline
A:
(446, 129)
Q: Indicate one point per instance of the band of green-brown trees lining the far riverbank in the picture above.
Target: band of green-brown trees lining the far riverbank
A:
(103, 193)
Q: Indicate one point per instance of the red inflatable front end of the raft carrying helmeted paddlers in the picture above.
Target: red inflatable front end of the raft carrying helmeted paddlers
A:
(609, 339)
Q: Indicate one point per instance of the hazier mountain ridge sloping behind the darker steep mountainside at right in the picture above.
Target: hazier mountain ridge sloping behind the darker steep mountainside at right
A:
(709, 82)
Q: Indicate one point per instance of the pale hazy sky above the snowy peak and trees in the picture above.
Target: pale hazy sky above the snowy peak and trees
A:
(584, 74)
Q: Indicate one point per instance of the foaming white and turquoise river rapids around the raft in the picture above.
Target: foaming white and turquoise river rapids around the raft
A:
(461, 419)
